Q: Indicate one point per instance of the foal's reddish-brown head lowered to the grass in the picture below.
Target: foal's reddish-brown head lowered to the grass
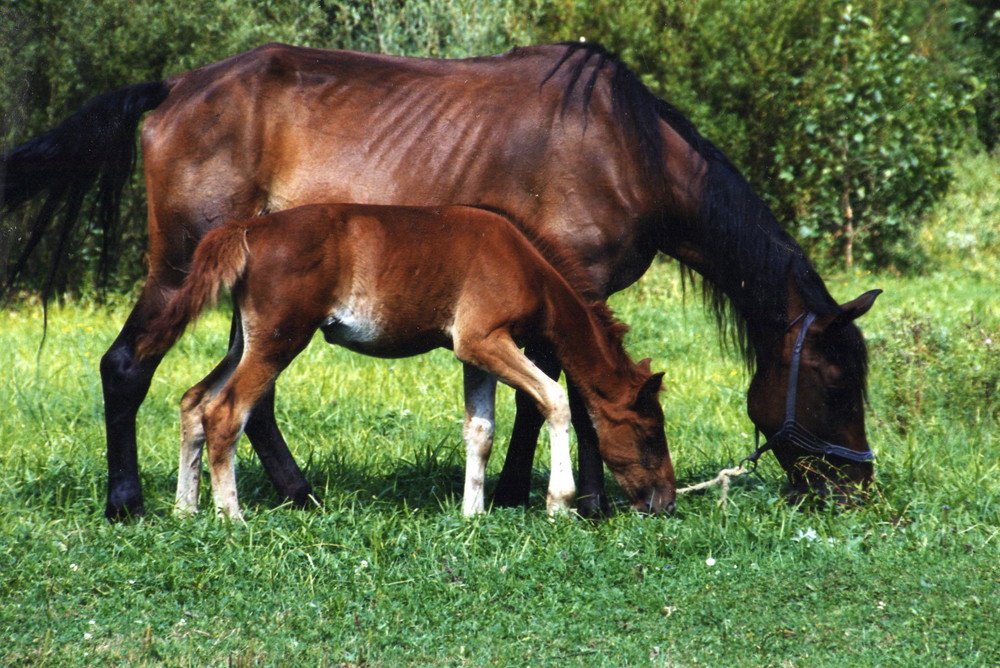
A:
(633, 444)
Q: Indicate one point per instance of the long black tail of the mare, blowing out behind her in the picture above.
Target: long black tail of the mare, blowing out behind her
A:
(93, 148)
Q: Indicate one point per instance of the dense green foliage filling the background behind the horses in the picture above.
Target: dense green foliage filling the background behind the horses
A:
(844, 115)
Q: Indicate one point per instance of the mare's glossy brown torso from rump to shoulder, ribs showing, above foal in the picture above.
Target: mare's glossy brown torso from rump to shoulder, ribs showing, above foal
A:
(282, 126)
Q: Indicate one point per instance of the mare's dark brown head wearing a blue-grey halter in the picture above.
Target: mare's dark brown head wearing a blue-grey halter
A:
(808, 399)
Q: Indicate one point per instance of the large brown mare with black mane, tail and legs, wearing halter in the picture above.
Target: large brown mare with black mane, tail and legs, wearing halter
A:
(564, 139)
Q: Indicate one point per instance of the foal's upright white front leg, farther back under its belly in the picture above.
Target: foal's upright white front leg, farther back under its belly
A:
(480, 401)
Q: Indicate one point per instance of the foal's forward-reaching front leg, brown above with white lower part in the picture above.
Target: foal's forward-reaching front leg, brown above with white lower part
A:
(499, 355)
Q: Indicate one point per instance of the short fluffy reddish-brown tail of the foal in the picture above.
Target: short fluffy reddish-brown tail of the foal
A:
(219, 262)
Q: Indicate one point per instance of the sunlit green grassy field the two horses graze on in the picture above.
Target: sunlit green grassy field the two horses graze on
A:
(387, 572)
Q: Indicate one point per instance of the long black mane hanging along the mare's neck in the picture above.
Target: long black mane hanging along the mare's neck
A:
(751, 258)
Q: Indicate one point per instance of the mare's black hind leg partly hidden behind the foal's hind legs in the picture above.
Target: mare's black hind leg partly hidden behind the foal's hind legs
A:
(268, 443)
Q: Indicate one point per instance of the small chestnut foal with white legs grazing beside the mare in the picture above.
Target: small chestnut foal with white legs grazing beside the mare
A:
(399, 281)
